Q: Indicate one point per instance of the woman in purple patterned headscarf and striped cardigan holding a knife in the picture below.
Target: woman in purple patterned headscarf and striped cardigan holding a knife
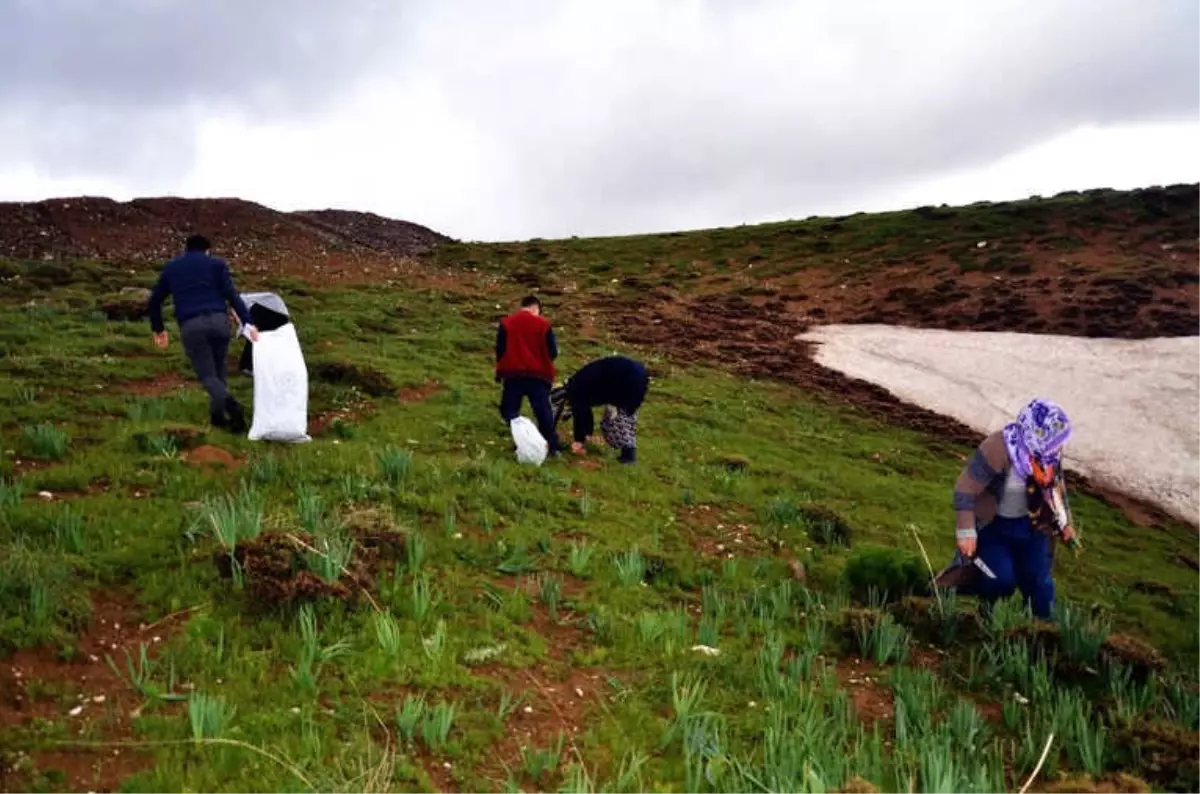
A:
(1011, 508)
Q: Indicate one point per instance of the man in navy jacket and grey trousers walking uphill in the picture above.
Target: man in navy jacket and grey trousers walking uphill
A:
(203, 292)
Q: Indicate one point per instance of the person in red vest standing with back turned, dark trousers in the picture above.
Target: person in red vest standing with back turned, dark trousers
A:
(526, 351)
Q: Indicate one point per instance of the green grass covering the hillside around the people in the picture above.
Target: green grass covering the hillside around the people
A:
(518, 585)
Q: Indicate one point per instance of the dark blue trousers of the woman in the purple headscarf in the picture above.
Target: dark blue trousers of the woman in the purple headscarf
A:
(1019, 556)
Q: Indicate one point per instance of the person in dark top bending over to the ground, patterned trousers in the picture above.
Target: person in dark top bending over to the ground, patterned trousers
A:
(620, 384)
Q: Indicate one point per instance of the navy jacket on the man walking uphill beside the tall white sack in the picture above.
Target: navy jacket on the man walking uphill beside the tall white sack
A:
(199, 285)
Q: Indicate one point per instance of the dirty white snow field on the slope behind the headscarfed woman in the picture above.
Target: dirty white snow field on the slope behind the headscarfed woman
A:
(1135, 405)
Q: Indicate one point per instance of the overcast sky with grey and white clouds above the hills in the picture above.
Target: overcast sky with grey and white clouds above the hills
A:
(490, 119)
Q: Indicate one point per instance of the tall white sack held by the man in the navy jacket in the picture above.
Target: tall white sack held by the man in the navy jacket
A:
(281, 388)
